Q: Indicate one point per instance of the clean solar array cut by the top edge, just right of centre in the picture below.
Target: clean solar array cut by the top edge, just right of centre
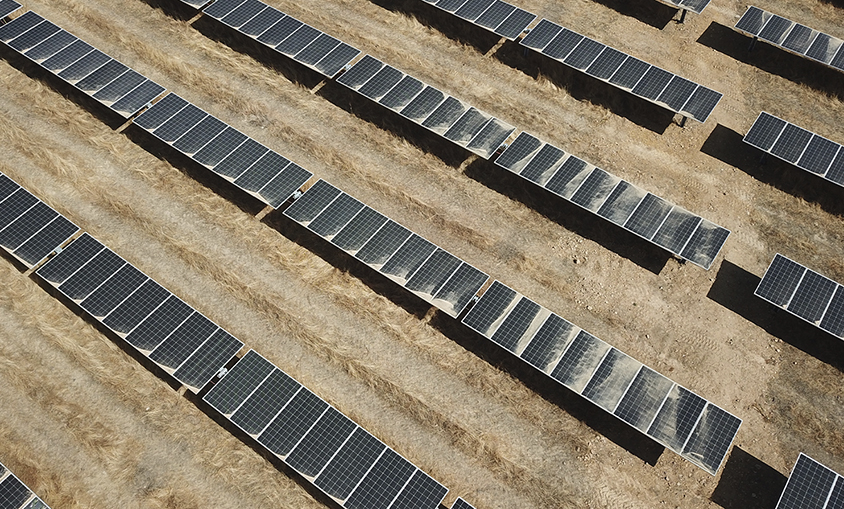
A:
(499, 17)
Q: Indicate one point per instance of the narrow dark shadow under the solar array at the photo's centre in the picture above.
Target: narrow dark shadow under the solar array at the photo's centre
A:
(344, 262)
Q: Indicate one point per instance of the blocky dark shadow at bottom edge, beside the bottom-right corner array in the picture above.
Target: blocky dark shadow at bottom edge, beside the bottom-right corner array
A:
(748, 482)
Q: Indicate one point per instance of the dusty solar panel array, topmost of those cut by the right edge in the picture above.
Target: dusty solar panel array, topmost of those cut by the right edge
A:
(793, 37)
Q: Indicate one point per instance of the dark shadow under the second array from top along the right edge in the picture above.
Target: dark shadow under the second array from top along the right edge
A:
(727, 146)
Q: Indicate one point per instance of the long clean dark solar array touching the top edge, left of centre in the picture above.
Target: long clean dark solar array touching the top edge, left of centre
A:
(285, 34)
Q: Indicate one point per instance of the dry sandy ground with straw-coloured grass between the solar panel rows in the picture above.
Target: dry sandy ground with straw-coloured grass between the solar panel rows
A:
(86, 425)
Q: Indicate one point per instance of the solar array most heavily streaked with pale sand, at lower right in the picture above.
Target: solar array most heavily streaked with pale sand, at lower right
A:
(672, 415)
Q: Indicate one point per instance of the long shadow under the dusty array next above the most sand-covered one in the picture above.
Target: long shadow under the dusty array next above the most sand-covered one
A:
(571, 217)
